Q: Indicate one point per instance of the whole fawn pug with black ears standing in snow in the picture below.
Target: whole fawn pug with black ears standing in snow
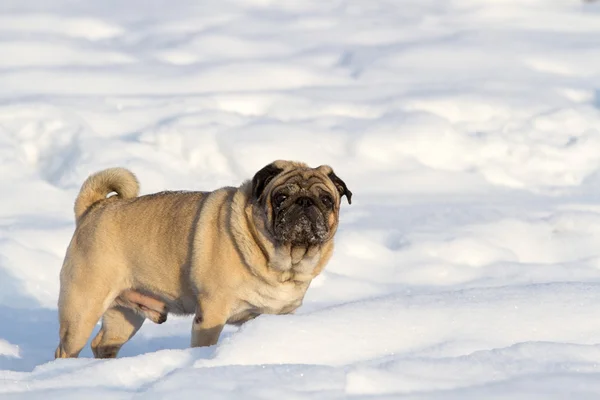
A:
(224, 256)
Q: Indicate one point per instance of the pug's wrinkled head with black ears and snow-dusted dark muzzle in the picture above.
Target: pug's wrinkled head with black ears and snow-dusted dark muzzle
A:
(301, 204)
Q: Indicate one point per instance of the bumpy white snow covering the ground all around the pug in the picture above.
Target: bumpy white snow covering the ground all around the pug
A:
(468, 265)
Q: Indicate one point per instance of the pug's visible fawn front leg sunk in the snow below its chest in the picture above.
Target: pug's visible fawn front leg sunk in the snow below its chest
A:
(211, 316)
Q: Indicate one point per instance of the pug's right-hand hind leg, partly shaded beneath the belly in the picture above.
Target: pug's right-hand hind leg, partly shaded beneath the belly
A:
(119, 324)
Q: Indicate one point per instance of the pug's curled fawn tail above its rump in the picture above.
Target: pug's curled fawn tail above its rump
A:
(99, 185)
